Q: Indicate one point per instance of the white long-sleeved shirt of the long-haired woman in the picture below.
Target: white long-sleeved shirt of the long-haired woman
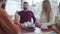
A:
(44, 20)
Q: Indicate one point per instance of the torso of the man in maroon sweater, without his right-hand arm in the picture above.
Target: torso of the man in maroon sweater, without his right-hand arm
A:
(25, 16)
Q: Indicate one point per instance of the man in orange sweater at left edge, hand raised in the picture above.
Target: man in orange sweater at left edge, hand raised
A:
(7, 26)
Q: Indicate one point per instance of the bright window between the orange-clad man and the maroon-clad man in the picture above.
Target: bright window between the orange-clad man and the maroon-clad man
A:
(12, 6)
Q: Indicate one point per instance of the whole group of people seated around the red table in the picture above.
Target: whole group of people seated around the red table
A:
(7, 26)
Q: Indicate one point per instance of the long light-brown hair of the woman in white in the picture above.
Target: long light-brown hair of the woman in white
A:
(46, 10)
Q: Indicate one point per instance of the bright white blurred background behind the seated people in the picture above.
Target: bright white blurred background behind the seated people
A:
(35, 5)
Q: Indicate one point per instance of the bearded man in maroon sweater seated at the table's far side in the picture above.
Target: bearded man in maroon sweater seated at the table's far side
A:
(26, 15)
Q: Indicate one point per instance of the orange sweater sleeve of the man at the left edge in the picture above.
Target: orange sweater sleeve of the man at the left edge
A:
(7, 23)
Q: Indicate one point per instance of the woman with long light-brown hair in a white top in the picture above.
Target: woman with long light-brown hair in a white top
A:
(47, 16)
